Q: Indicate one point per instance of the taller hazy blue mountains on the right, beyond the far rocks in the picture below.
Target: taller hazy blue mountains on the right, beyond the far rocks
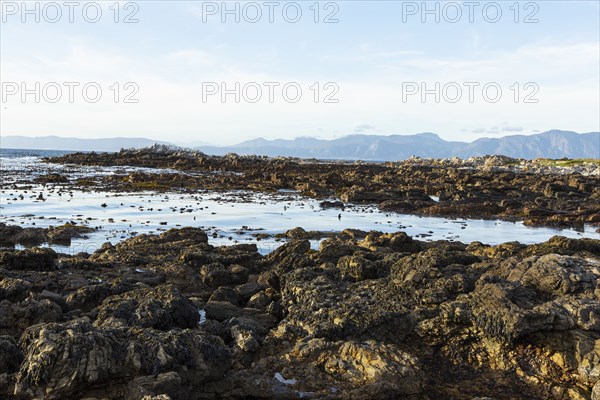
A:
(551, 144)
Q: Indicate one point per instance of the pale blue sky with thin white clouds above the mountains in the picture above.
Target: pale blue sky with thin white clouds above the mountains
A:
(224, 72)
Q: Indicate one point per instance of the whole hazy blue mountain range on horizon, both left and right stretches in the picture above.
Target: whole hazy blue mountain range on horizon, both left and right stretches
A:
(551, 144)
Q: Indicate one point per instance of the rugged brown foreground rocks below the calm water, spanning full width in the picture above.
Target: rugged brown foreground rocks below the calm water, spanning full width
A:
(368, 316)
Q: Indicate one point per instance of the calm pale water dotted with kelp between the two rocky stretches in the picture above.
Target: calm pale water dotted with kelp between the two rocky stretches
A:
(227, 217)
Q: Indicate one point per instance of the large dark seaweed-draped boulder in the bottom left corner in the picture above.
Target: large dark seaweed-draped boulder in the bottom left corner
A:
(62, 360)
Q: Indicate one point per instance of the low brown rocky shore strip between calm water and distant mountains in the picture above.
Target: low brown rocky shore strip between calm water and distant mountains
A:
(541, 192)
